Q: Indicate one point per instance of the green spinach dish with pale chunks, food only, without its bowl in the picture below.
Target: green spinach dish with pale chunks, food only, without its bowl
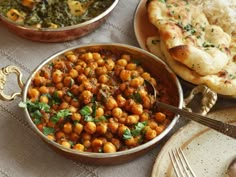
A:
(52, 13)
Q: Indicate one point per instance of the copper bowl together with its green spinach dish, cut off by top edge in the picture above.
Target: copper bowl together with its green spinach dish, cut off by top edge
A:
(54, 20)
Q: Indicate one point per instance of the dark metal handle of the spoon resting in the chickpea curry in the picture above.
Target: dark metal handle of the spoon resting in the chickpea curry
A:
(225, 128)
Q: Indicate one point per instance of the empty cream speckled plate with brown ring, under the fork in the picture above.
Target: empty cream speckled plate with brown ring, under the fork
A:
(208, 151)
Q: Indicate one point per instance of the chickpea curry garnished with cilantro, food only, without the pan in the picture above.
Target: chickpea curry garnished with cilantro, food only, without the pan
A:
(96, 101)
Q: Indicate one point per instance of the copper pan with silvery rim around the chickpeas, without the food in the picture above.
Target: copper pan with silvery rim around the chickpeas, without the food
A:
(149, 62)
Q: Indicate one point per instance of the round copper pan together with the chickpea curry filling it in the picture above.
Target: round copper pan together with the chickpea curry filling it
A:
(90, 103)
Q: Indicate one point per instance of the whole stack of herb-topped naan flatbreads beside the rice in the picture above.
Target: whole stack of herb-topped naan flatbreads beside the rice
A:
(197, 51)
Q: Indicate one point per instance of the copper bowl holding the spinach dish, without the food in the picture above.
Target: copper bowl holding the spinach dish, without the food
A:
(58, 34)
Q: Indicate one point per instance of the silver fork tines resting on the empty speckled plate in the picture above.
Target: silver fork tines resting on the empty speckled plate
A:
(180, 163)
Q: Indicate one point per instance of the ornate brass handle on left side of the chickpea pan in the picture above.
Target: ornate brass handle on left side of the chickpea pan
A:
(3, 79)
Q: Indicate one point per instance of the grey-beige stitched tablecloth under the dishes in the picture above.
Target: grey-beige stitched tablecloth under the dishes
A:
(22, 153)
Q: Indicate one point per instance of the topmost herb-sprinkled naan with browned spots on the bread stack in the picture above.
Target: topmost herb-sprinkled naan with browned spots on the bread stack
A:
(188, 36)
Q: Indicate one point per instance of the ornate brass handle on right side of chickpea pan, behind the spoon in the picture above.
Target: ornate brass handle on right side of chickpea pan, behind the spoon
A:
(209, 98)
